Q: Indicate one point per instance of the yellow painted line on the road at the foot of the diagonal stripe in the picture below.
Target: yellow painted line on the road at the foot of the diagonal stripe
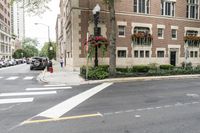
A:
(60, 119)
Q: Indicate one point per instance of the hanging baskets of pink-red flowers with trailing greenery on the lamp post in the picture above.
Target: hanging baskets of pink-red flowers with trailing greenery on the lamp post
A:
(93, 41)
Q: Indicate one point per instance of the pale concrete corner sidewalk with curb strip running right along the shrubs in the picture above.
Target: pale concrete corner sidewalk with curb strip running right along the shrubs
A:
(70, 77)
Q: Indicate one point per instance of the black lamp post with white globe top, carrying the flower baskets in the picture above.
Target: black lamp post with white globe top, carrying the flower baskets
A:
(96, 12)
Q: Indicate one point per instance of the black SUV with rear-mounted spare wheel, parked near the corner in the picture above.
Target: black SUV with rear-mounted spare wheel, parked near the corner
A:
(38, 63)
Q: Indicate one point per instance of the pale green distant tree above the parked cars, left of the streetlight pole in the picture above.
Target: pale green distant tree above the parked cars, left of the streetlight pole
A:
(29, 45)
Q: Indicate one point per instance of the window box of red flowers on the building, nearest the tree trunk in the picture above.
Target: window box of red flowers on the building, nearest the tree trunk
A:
(142, 38)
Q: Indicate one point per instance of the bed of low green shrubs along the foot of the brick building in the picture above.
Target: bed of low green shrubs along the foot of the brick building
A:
(101, 72)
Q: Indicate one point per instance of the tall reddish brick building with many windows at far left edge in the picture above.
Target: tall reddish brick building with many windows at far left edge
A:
(5, 29)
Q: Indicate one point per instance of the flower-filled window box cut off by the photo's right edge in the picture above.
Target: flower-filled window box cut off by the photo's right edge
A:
(192, 40)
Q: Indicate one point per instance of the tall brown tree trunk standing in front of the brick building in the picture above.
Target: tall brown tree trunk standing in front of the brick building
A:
(112, 68)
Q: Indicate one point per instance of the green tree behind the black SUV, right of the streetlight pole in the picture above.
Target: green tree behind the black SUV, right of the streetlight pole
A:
(47, 52)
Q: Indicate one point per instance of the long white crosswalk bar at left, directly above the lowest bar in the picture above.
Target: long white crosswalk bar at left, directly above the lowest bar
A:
(27, 93)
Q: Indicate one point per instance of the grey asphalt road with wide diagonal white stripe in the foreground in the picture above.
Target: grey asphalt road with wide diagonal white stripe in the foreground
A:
(166, 106)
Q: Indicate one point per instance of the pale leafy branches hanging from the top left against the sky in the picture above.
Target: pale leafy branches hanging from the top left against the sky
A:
(35, 7)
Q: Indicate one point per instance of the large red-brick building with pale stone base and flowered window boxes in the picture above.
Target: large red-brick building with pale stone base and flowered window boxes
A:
(148, 31)
